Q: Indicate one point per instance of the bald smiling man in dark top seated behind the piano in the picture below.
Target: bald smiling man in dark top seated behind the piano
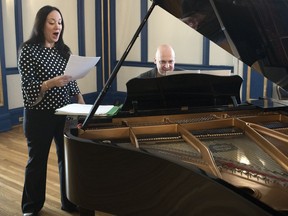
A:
(164, 61)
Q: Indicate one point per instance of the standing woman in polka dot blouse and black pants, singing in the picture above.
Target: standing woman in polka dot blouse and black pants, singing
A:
(42, 61)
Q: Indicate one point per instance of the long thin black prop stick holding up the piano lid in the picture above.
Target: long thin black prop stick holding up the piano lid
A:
(116, 69)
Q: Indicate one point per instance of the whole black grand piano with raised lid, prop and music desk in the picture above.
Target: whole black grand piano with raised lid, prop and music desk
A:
(185, 144)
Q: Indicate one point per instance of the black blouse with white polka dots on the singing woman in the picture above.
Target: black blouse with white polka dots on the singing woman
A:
(37, 64)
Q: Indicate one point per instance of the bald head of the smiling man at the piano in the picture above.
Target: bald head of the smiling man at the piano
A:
(164, 59)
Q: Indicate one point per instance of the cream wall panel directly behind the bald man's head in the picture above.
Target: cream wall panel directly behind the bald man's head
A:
(165, 28)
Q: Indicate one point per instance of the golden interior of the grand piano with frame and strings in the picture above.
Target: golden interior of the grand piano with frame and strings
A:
(247, 148)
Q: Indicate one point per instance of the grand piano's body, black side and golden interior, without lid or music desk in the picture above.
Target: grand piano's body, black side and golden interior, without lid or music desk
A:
(167, 165)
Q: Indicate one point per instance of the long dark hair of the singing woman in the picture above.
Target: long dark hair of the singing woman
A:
(37, 35)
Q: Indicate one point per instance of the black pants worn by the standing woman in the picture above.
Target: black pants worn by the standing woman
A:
(40, 128)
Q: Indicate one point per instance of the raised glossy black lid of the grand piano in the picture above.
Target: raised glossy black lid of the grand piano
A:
(254, 31)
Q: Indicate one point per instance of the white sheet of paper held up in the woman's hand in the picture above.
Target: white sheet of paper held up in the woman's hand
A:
(80, 66)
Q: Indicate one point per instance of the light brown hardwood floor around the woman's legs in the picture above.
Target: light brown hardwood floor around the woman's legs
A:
(13, 158)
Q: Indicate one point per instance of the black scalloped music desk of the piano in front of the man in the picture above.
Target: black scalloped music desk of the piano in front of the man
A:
(182, 91)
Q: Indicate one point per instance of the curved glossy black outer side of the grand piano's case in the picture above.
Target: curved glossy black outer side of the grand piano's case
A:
(126, 181)
